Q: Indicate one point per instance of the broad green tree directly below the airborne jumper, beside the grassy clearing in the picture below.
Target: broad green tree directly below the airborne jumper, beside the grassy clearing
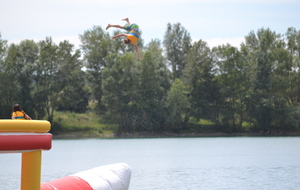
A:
(119, 90)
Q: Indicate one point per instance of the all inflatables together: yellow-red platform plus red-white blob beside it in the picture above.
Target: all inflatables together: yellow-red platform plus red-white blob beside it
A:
(31, 137)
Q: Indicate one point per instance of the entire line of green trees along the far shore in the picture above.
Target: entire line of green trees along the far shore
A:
(175, 84)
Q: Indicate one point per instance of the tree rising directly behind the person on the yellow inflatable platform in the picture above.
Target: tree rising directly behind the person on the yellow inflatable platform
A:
(18, 67)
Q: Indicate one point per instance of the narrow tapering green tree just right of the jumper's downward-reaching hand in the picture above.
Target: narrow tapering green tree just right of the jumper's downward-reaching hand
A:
(151, 96)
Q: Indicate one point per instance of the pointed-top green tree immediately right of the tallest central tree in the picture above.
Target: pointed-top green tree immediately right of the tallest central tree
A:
(203, 89)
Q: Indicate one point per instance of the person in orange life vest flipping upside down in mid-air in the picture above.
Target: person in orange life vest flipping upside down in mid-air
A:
(133, 35)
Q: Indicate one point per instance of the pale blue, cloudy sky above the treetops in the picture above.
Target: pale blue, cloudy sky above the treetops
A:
(215, 21)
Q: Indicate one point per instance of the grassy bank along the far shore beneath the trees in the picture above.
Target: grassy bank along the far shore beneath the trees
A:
(87, 125)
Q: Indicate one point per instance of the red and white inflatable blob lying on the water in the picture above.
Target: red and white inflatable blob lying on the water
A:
(108, 177)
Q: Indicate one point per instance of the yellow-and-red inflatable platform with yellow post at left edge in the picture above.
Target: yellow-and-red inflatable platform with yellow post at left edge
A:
(28, 137)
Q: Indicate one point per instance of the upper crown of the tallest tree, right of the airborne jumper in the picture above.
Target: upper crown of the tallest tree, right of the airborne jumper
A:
(177, 42)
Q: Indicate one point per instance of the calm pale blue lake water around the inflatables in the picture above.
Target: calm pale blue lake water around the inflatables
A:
(233, 163)
